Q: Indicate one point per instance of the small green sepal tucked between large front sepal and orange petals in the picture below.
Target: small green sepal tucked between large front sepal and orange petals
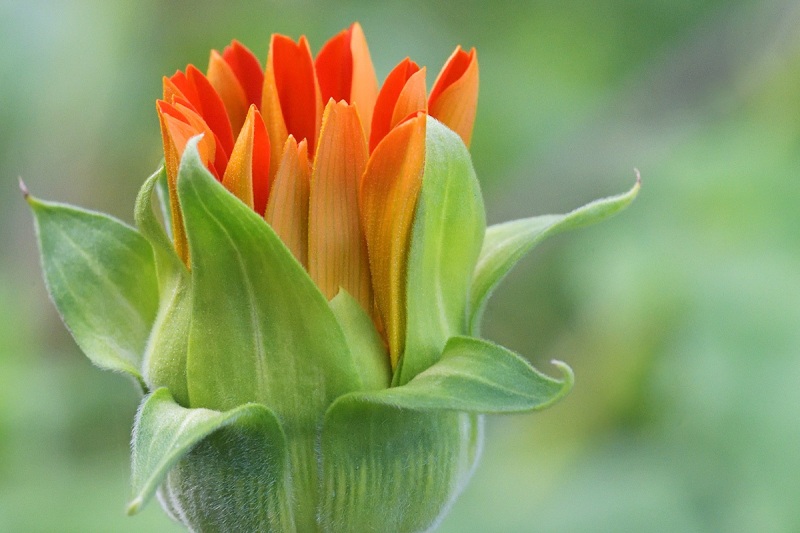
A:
(369, 352)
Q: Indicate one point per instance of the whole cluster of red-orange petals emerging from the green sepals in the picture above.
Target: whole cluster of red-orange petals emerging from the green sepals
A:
(333, 162)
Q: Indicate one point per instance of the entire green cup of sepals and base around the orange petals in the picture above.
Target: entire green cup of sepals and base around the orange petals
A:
(269, 408)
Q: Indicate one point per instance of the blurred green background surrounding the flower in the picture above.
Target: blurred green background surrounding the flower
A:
(680, 316)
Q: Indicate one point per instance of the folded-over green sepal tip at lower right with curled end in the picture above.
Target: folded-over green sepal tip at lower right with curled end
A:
(476, 376)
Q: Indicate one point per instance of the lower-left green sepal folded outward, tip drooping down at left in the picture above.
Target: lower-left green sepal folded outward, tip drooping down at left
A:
(221, 471)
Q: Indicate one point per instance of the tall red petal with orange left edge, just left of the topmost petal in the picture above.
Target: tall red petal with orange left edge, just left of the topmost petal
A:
(291, 103)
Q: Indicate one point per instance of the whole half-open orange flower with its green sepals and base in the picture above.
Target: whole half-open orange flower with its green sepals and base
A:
(302, 312)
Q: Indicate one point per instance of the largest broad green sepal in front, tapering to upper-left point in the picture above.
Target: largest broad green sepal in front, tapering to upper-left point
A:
(261, 330)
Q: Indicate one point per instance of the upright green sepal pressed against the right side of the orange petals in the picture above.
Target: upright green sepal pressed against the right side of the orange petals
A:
(448, 230)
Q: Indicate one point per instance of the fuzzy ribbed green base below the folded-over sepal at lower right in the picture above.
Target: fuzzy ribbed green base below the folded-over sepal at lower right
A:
(387, 469)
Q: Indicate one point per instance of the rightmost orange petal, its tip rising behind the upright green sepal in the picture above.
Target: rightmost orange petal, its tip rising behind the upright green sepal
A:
(454, 97)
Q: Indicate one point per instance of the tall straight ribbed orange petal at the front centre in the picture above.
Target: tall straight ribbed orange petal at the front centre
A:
(337, 252)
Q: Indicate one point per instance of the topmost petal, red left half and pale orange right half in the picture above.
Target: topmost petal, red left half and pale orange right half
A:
(345, 72)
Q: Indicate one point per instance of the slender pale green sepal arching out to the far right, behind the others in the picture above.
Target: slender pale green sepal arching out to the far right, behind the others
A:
(505, 244)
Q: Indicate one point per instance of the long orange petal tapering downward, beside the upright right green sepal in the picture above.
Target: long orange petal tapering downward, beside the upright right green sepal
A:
(388, 197)
